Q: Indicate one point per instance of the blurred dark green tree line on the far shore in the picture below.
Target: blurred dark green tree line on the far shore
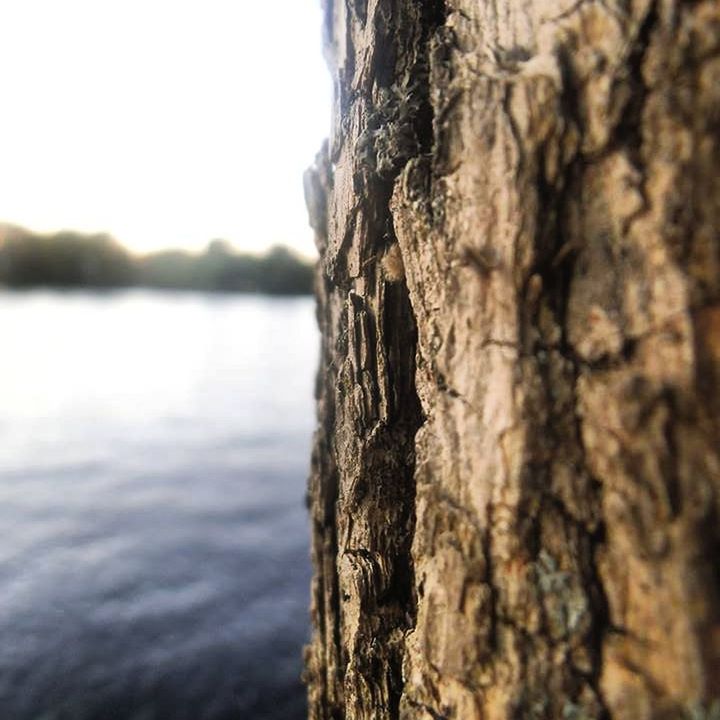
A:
(70, 259)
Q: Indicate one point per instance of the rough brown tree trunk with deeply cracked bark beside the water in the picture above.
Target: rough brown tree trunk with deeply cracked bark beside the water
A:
(516, 483)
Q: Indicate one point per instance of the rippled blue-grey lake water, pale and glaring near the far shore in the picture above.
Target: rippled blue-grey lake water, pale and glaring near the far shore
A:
(154, 542)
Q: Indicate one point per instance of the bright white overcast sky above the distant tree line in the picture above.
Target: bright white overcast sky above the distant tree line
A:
(166, 123)
